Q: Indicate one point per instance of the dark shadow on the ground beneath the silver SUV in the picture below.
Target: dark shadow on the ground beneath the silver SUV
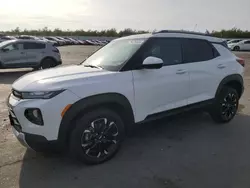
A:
(8, 77)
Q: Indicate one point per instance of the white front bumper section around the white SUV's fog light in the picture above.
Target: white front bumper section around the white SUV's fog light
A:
(51, 112)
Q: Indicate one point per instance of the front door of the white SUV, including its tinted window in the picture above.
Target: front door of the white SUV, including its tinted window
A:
(159, 90)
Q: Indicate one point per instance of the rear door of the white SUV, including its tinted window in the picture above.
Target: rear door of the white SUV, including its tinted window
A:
(206, 69)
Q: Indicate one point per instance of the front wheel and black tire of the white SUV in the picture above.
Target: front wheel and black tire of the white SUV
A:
(97, 136)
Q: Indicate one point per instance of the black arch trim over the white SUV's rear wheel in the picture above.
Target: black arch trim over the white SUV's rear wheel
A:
(235, 81)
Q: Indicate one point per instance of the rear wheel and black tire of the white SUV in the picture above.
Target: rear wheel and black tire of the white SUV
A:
(226, 105)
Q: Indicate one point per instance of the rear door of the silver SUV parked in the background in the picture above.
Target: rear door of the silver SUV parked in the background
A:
(34, 51)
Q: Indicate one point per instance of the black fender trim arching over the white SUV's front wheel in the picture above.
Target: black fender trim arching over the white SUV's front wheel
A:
(67, 123)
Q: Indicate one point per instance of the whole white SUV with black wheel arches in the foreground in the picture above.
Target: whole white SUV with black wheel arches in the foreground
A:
(88, 107)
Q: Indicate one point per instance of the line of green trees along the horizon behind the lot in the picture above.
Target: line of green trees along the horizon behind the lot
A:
(231, 33)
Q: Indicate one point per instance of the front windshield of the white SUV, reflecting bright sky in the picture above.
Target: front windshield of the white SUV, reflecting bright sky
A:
(115, 54)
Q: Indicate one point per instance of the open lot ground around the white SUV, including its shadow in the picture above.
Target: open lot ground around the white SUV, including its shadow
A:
(187, 150)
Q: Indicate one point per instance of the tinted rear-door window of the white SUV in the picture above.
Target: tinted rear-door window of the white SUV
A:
(197, 50)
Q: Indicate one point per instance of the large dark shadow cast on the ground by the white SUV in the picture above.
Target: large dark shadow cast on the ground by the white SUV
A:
(187, 150)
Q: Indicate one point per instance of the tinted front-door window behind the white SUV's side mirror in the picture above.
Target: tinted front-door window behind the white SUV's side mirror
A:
(169, 50)
